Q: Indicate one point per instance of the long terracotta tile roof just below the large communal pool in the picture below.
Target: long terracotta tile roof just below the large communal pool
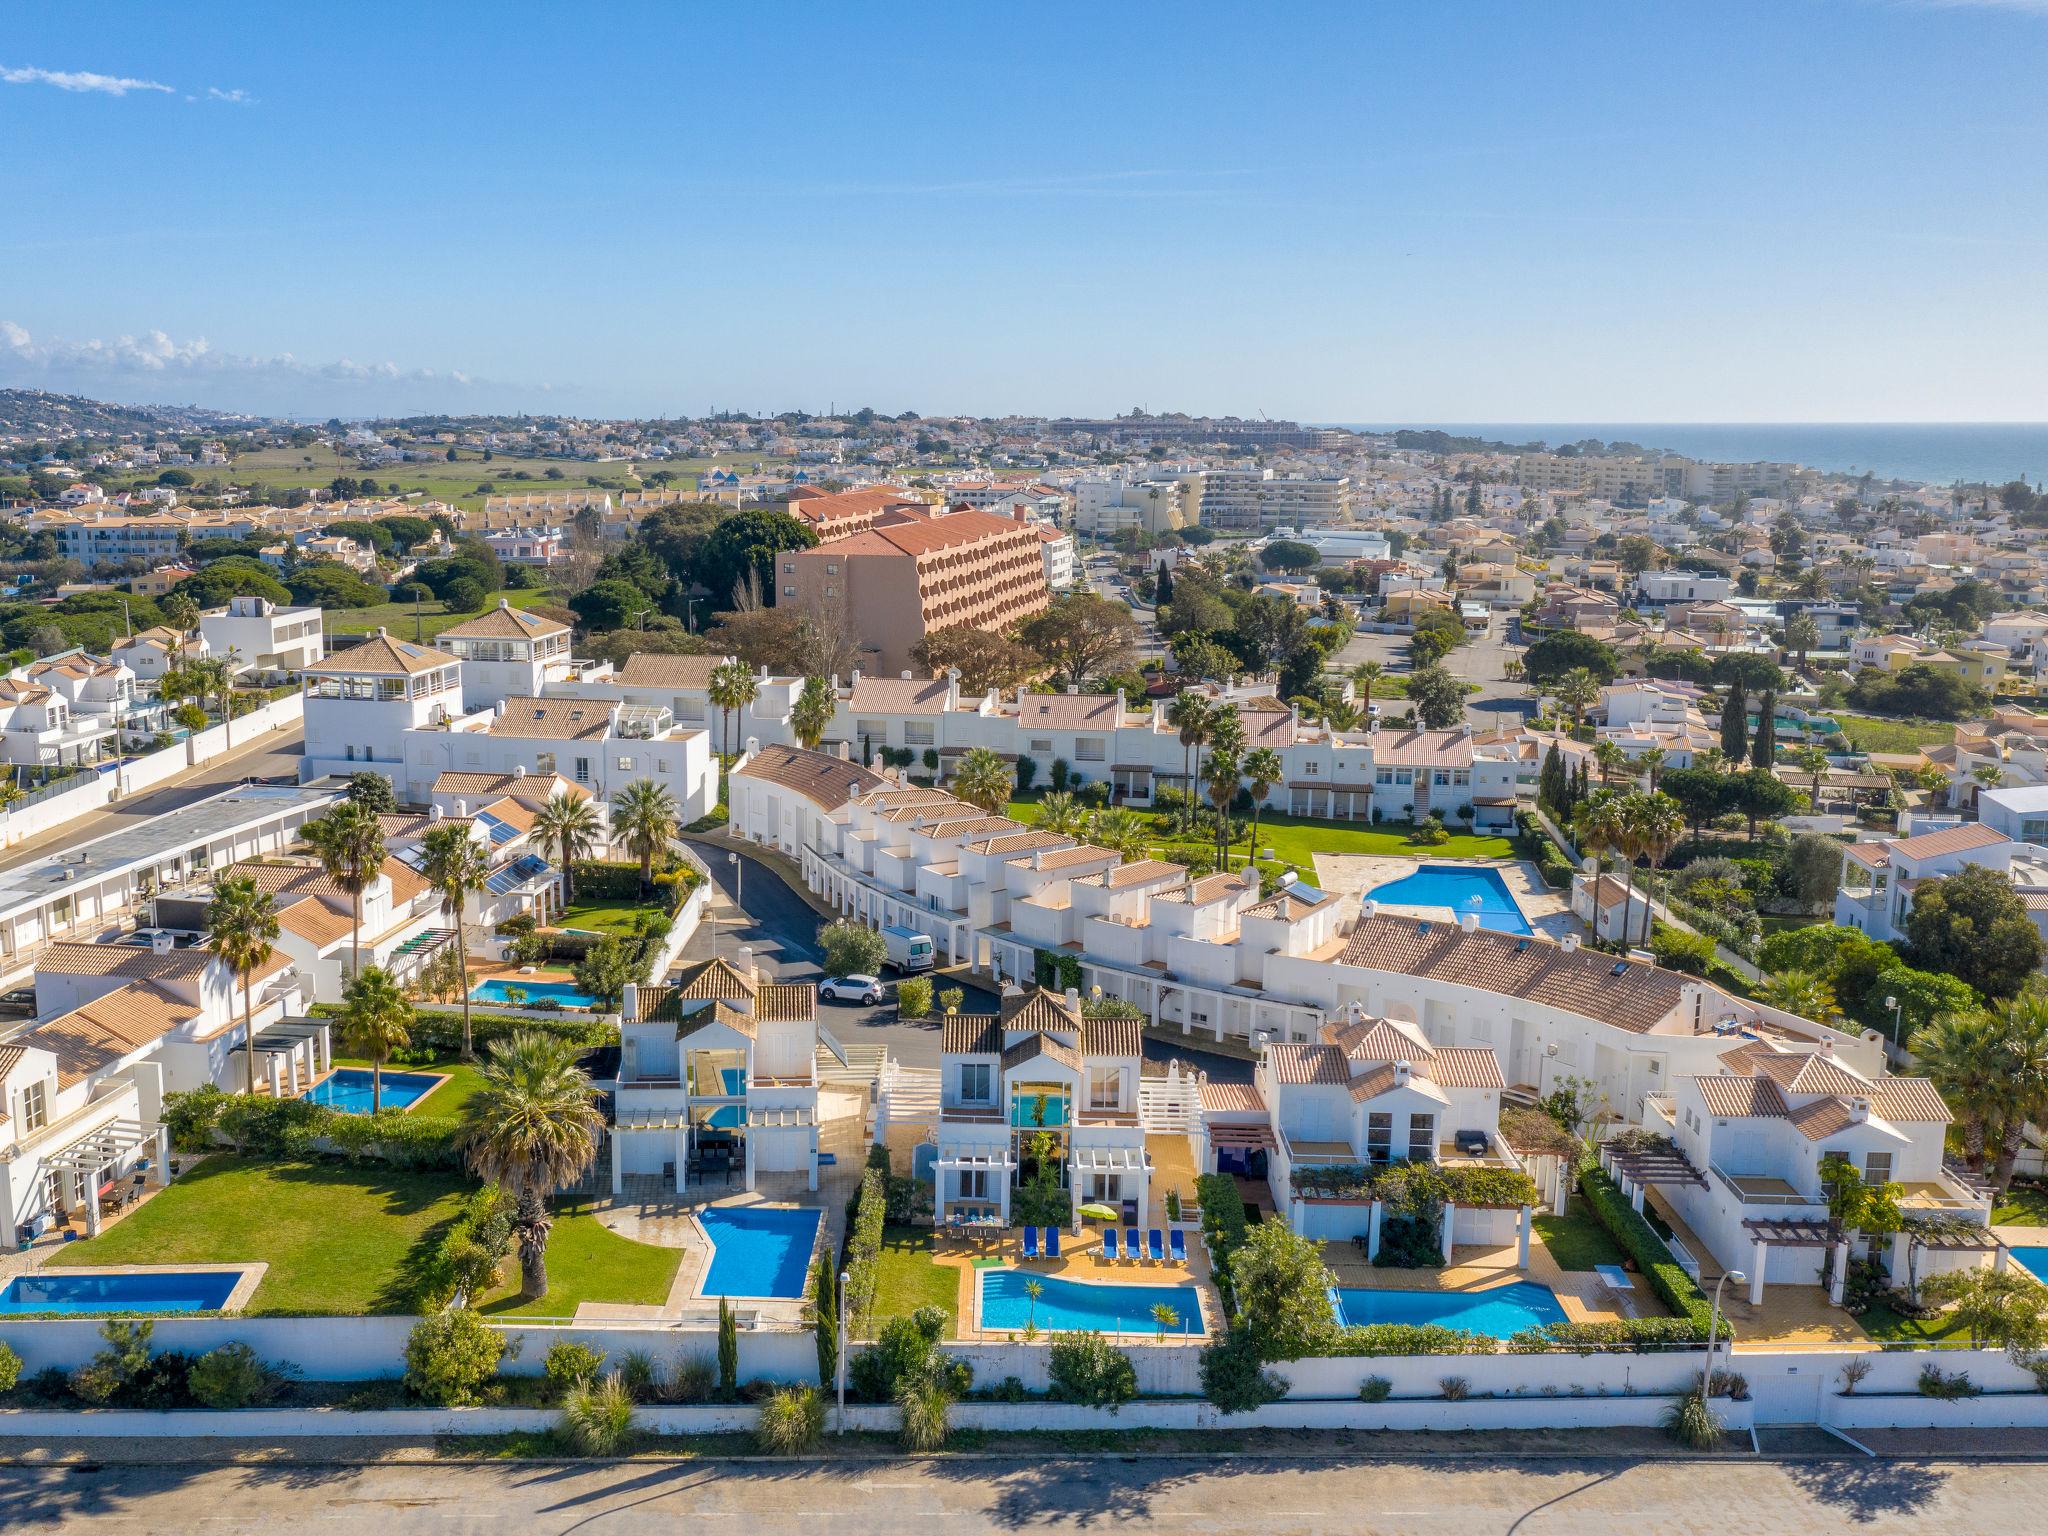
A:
(1537, 970)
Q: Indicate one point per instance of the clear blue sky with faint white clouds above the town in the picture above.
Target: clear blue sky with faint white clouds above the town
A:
(1803, 210)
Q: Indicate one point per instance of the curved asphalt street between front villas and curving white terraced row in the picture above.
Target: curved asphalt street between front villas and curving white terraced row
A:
(781, 929)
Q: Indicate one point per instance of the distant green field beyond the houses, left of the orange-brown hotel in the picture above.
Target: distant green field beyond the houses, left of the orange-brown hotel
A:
(314, 468)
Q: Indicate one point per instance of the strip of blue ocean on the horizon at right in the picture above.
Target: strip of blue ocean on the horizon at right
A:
(1936, 454)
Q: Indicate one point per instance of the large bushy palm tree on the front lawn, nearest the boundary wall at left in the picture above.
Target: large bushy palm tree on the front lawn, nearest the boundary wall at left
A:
(534, 1129)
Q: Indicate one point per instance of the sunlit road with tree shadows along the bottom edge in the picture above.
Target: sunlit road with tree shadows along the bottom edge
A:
(1256, 1496)
